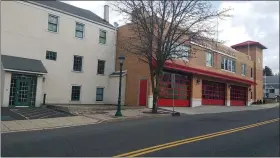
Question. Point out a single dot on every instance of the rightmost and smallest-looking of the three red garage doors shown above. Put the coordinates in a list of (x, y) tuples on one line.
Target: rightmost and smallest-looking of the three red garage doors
[(238, 95)]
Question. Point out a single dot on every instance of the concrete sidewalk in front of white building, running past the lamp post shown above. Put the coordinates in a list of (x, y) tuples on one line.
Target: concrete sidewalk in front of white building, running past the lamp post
[(86, 119)]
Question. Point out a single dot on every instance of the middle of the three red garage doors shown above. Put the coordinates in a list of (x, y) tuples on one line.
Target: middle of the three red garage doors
[(213, 93)]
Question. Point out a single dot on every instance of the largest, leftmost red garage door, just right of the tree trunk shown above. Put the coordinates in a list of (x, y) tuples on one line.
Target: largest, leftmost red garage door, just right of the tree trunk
[(181, 90)]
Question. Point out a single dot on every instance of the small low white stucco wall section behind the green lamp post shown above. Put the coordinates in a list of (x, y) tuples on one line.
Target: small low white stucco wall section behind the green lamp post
[(113, 90)]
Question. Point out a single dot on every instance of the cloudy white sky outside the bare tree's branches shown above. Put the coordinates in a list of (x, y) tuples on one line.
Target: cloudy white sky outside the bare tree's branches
[(252, 20)]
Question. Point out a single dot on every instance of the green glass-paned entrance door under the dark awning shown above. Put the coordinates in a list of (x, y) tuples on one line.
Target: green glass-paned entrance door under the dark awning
[(22, 95)]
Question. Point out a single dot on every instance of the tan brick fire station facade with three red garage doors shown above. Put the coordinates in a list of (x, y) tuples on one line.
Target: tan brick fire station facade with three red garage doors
[(216, 75)]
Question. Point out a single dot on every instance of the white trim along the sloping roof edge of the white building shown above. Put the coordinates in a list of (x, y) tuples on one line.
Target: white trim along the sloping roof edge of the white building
[(76, 16)]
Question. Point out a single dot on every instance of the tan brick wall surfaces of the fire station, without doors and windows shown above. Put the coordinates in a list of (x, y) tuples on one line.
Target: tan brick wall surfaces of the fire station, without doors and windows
[(138, 69)]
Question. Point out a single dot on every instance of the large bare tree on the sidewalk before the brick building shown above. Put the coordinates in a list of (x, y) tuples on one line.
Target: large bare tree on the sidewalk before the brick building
[(164, 29)]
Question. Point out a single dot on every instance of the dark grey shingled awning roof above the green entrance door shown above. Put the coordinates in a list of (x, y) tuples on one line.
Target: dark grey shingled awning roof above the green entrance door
[(22, 64)]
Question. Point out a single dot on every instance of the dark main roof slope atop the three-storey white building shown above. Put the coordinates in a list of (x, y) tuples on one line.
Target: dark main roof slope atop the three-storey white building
[(74, 10)]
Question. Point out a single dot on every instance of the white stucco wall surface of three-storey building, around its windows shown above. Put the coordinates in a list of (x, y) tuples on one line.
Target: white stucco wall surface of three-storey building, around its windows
[(24, 34)]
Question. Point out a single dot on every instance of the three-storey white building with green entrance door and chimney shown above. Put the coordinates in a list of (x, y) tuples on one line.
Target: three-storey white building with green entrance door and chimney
[(53, 48)]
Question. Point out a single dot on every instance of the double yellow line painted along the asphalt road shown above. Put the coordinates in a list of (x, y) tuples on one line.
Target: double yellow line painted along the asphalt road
[(193, 139)]
